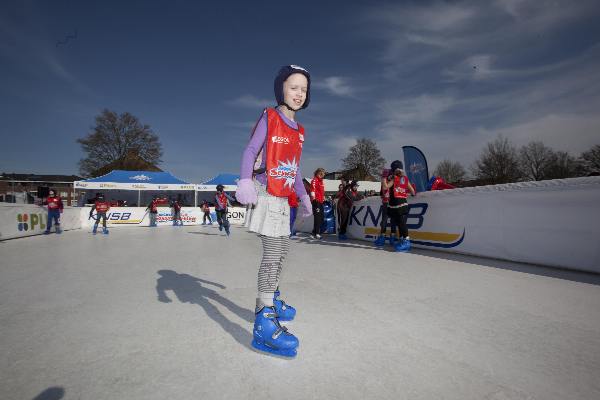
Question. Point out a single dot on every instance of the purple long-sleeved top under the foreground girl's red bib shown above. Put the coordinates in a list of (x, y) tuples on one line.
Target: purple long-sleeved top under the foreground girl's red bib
[(258, 143)]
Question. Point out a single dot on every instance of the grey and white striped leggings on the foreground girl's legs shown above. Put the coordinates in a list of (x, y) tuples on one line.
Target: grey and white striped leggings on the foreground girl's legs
[(274, 251)]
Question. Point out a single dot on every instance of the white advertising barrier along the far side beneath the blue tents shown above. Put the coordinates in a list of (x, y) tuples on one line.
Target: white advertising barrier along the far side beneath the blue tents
[(139, 216)]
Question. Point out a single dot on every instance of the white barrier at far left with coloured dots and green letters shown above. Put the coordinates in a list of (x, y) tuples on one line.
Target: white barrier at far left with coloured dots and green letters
[(19, 220)]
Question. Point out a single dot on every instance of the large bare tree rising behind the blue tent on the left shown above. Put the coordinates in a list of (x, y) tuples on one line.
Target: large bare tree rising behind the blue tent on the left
[(114, 139)]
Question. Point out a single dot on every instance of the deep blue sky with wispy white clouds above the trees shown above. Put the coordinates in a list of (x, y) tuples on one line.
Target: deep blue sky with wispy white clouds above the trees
[(447, 77)]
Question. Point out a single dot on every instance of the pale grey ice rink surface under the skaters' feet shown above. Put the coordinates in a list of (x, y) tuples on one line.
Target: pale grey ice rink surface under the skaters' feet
[(166, 313)]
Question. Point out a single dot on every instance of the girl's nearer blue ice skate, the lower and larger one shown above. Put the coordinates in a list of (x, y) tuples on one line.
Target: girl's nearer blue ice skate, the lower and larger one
[(271, 337)]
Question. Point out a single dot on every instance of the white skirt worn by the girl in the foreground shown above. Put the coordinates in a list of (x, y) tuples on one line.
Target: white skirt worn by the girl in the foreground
[(271, 215)]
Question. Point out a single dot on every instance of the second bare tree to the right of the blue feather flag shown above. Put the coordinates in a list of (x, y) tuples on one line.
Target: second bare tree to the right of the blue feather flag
[(498, 163)]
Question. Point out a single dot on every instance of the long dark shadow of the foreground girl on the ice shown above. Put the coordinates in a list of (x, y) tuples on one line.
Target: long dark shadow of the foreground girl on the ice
[(189, 289)]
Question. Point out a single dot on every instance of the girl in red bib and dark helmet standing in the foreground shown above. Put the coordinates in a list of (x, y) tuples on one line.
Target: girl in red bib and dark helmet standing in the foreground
[(278, 138)]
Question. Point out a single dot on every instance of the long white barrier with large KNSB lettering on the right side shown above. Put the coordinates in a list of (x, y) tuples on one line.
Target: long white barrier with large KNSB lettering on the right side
[(554, 223)]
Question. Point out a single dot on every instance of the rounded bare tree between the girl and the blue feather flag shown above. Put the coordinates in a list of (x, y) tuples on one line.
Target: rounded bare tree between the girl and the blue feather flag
[(364, 158)]
